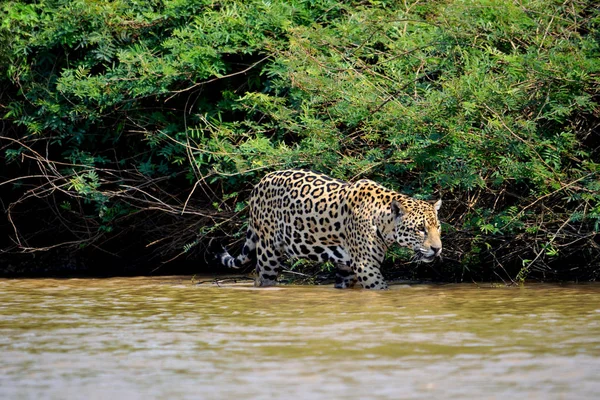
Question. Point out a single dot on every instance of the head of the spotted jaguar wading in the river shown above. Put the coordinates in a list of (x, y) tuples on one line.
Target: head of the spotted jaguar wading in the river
[(417, 227)]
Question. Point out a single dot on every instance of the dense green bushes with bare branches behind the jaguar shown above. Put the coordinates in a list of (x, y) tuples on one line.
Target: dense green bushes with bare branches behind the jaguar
[(138, 128)]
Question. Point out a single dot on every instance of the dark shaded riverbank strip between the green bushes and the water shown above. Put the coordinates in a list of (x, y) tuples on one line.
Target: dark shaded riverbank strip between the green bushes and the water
[(65, 264)]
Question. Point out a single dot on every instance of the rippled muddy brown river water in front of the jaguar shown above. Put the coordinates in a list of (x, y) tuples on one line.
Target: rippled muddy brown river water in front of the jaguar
[(168, 338)]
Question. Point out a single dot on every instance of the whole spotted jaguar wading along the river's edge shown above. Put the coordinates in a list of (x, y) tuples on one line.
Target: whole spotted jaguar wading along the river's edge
[(303, 214)]
